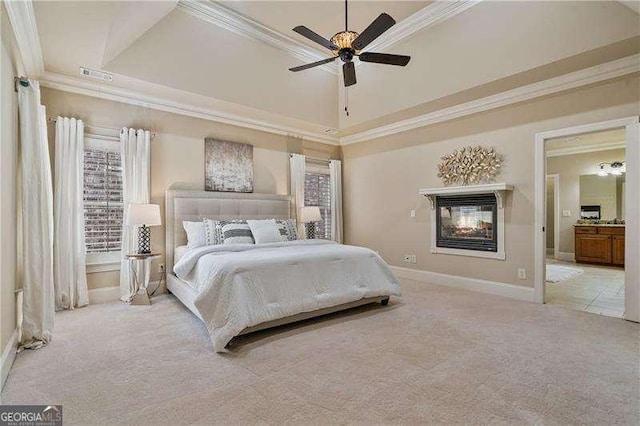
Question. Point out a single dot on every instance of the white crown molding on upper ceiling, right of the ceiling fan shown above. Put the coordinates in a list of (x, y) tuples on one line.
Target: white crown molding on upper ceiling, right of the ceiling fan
[(431, 15)]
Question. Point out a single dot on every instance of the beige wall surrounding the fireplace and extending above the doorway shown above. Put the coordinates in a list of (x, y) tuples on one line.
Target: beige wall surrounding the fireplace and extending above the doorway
[(383, 176)]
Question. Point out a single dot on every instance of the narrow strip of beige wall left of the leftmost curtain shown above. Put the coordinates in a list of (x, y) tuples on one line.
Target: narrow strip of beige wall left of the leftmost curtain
[(8, 188)]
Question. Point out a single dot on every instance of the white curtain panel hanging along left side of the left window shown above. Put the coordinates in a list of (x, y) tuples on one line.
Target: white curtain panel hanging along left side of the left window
[(69, 268)]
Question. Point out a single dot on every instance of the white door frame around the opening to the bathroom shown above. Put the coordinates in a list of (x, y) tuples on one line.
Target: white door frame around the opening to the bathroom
[(632, 207)]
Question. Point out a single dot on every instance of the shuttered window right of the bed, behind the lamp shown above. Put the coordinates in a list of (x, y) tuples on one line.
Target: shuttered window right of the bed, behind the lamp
[(317, 192)]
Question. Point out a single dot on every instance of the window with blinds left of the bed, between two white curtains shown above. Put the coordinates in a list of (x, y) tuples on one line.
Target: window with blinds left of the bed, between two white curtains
[(103, 206)]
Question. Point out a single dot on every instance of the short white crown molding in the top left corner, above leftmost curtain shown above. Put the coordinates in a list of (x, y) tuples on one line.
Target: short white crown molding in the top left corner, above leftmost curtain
[(23, 22)]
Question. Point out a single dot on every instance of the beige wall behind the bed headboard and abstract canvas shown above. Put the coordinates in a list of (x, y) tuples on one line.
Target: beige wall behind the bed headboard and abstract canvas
[(177, 151)]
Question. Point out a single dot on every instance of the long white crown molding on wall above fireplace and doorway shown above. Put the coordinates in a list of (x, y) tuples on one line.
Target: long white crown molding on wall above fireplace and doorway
[(598, 73)]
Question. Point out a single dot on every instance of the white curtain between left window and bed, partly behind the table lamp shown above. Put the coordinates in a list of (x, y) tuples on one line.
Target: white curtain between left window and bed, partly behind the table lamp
[(135, 157)]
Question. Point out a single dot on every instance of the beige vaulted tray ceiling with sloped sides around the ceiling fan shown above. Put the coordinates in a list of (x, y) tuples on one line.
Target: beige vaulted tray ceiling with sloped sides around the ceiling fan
[(158, 48)]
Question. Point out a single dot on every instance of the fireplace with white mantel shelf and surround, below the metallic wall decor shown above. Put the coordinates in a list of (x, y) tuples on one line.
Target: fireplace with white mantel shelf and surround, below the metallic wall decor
[(468, 220)]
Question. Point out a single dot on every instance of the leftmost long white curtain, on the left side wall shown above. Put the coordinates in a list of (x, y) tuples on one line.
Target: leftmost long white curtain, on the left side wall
[(37, 220)]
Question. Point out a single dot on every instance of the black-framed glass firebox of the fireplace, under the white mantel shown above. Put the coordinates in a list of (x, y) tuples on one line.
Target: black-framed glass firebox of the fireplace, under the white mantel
[(467, 222)]
